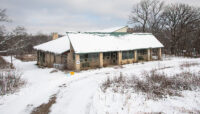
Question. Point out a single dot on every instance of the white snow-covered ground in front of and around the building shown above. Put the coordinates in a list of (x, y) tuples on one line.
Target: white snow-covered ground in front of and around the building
[(81, 93)]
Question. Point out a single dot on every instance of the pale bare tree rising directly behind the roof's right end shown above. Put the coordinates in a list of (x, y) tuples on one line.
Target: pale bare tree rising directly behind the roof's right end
[(146, 14)]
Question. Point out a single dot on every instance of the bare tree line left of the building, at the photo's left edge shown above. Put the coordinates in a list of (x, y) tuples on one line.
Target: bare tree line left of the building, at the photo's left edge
[(18, 41)]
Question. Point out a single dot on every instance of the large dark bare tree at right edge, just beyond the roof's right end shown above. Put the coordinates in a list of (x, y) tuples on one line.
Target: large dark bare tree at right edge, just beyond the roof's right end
[(179, 23)]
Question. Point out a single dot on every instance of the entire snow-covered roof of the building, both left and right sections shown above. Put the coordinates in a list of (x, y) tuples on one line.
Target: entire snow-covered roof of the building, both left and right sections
[(100, 42)]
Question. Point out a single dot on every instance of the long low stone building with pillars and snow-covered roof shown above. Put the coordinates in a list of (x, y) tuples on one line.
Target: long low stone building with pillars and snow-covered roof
[(80, 51)]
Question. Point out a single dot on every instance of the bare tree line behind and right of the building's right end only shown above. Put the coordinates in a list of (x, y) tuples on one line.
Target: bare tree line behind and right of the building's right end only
[(177, 26)]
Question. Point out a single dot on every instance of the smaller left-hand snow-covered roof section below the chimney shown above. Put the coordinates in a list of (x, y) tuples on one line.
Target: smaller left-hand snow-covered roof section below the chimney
[(57, 46)]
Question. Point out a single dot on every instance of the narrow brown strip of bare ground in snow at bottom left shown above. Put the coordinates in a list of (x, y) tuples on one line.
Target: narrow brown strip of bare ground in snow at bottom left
[(45, 108)]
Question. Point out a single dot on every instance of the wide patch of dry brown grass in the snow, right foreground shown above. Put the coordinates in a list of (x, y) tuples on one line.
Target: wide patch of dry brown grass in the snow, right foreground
[(154, 85)]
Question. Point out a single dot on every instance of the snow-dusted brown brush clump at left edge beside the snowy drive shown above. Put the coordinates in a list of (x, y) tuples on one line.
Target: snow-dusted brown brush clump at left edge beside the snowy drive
[(10, 81)]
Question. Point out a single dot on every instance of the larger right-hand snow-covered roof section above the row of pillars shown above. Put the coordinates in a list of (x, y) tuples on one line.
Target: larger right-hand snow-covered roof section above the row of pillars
[(97, 42)]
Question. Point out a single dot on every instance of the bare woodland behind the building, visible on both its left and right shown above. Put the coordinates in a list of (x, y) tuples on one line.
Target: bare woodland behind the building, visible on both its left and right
[(177, 26)]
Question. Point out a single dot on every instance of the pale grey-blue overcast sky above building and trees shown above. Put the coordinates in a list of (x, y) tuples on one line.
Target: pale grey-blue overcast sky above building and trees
[(71, 15)]
